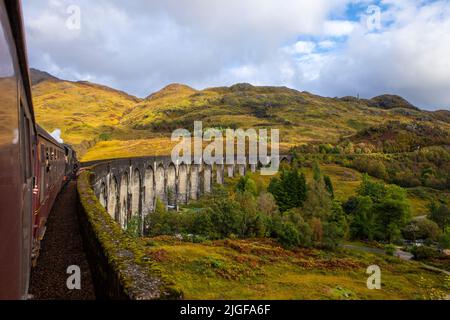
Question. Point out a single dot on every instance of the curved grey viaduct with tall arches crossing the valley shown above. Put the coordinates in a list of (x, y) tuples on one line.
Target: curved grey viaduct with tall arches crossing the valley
[(130, 187)]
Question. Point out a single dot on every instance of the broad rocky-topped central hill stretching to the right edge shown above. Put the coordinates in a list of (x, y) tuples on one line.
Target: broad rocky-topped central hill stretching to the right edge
[(300, 116)]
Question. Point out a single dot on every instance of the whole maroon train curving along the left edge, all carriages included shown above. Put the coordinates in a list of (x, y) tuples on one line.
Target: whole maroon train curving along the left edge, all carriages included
[(33, 165)]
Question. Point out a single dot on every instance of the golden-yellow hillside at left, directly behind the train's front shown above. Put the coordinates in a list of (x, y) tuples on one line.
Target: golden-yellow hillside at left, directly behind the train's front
[(83, 111)]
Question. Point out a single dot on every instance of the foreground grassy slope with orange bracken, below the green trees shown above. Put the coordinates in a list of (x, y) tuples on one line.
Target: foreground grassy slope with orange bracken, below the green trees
[(261, 269)]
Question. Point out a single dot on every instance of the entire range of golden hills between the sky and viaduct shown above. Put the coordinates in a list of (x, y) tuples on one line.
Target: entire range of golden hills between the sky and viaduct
[(108, 122)]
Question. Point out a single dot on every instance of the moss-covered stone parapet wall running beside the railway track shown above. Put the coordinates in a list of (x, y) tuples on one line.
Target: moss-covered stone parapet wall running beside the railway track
[(118, 263)]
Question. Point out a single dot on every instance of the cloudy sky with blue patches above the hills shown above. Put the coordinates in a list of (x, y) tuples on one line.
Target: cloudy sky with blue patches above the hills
[(328, 47)]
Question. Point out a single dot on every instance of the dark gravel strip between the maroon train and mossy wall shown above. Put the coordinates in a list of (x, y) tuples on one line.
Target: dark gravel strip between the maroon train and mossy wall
[(62, 247)]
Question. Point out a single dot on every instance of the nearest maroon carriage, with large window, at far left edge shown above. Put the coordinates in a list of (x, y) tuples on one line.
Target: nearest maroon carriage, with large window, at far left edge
[(17, 151)]
